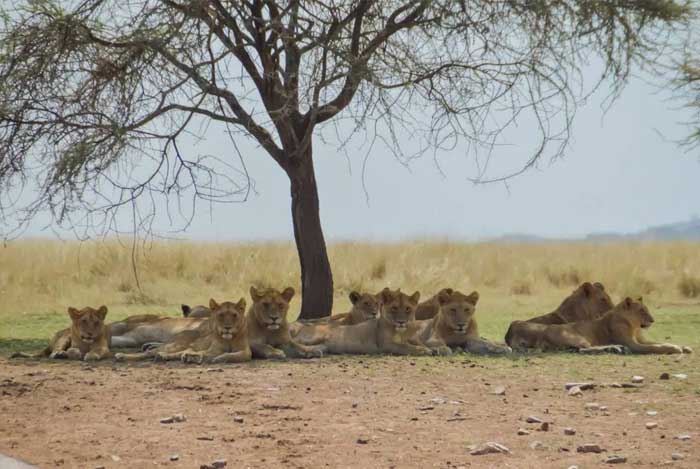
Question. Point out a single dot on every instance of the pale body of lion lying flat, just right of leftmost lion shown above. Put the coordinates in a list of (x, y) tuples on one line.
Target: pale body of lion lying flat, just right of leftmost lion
[(148, 329)]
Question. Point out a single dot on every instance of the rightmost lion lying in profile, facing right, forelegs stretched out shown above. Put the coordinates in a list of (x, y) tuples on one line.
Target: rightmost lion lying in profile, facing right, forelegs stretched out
[(620, 327)]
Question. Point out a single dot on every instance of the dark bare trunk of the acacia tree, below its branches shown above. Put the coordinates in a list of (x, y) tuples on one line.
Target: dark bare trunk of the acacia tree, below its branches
[(316, 276)]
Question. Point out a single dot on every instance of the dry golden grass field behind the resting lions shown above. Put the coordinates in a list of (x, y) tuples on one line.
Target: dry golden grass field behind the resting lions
[(39, 278)]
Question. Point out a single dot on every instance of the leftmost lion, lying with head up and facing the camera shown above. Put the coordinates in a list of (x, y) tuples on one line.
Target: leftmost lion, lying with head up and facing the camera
[(88, 338)]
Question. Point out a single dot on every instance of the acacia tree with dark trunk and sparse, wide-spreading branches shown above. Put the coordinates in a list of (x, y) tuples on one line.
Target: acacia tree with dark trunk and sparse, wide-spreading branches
[(91, 89)]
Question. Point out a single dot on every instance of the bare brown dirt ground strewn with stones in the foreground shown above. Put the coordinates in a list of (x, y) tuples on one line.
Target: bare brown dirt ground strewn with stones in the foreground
[(349, 412)]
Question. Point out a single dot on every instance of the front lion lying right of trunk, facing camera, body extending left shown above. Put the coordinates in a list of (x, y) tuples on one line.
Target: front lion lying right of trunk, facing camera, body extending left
[(394, 332)]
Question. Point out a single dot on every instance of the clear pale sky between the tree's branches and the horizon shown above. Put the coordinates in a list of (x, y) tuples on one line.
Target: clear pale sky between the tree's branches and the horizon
[(619, 174)]
